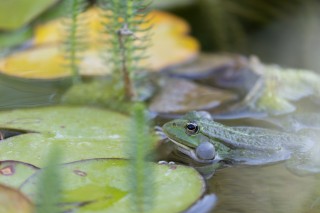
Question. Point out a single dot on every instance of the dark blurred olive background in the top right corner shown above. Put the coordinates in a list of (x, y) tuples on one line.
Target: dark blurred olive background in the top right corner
[(282, 32)]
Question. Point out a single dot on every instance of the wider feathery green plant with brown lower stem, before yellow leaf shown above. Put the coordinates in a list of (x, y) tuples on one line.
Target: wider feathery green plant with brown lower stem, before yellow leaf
[(124, 19)]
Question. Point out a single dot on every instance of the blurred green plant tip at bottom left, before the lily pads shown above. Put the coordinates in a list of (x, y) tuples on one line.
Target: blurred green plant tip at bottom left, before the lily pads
[(49, 188)]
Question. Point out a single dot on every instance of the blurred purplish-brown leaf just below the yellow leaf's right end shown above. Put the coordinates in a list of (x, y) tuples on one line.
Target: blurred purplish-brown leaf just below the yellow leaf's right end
[(229, 71)]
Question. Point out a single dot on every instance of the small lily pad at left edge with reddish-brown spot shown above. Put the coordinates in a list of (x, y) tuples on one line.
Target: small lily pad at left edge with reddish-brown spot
[(13, 173)]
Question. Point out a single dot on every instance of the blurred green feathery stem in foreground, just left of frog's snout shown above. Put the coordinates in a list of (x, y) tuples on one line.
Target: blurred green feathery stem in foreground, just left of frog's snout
[(141, 174)]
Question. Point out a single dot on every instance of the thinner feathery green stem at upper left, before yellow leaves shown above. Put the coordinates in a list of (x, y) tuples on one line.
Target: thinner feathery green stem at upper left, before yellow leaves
[(74, 42)]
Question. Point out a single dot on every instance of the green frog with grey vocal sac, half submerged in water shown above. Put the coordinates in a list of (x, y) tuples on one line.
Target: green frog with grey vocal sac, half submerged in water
[(207, 141)]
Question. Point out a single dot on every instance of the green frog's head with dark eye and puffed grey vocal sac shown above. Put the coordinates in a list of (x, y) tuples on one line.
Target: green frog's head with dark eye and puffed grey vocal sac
[(186, 134)]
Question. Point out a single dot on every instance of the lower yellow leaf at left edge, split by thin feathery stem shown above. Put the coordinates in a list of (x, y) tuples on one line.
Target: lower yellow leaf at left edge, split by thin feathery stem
[(47, 63)]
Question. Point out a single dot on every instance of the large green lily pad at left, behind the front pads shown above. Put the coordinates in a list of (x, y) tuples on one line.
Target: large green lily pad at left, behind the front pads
[(81, 132)]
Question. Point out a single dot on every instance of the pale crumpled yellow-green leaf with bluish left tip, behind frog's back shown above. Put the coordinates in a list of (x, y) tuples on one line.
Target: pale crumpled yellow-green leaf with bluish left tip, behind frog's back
[(276, 91)]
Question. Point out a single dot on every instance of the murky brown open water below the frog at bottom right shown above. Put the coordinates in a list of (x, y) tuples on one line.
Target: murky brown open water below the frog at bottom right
[(264, 189)]
